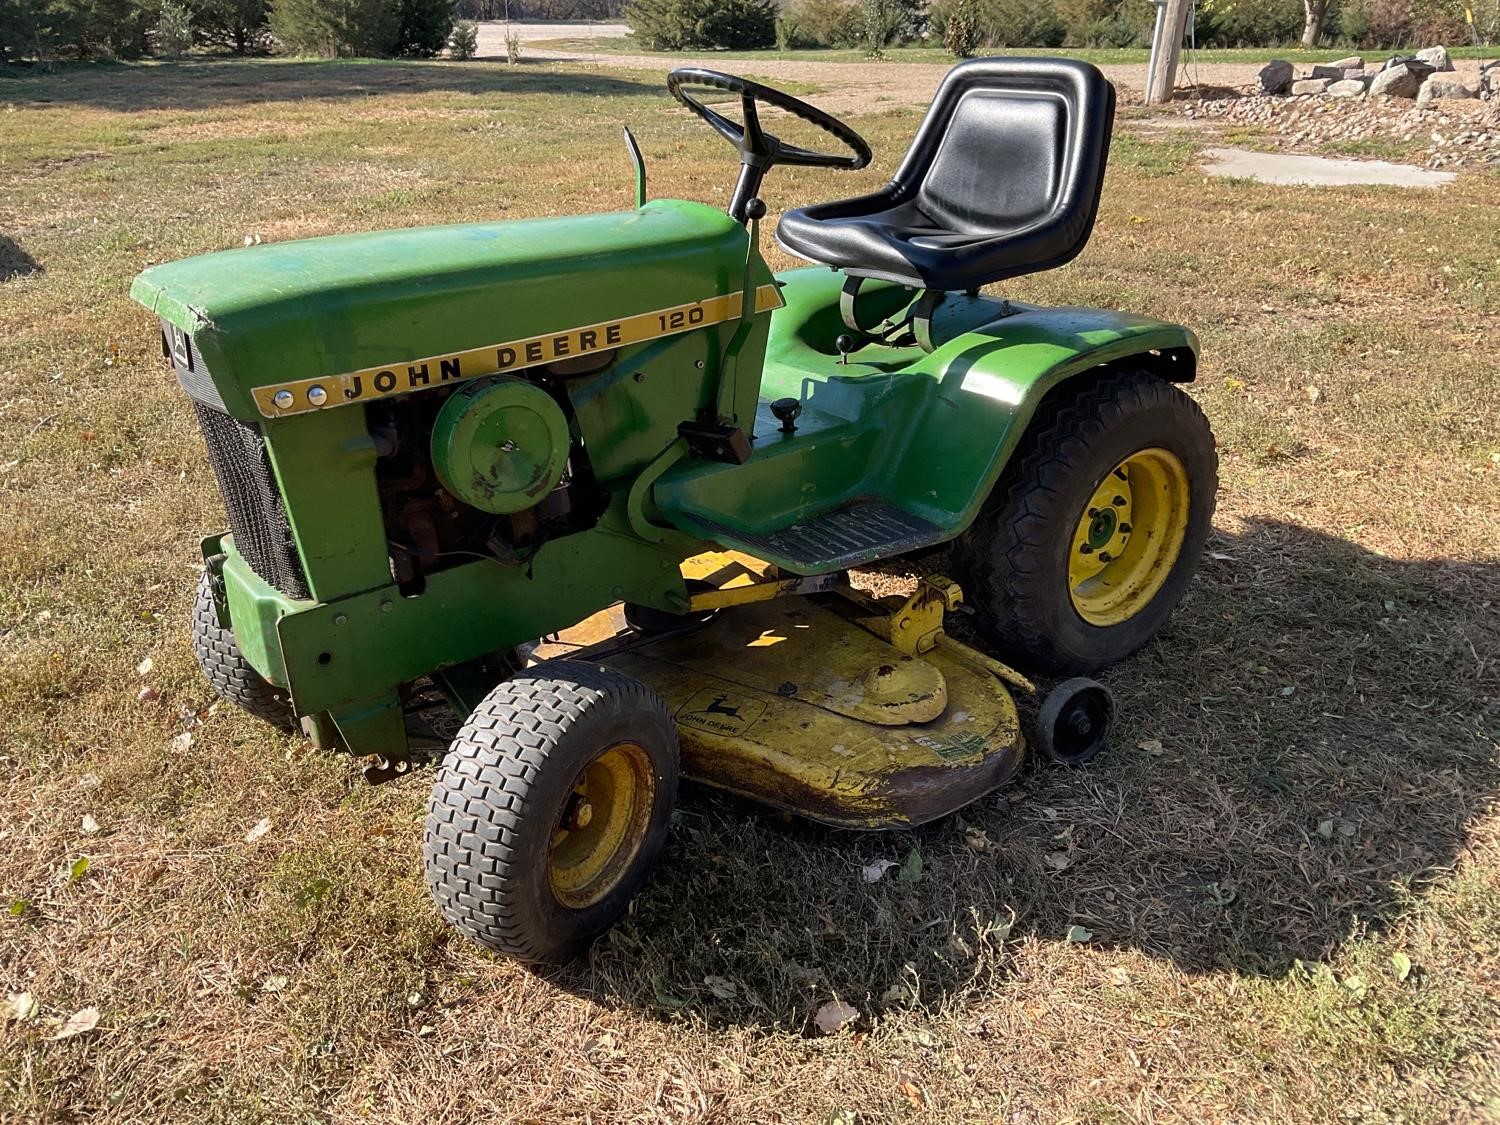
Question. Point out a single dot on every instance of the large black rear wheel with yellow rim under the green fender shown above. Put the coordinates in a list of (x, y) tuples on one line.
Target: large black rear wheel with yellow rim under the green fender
[(1019, 562)]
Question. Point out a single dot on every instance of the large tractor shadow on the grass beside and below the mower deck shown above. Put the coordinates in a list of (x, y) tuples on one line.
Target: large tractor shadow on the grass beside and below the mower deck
[(1297, 757)]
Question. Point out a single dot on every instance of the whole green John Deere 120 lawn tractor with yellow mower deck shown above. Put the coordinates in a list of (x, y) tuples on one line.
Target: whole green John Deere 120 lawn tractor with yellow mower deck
[(598, 484)]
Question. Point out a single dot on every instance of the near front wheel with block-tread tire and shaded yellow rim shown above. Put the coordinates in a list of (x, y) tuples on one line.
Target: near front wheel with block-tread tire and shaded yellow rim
[(551, 809)]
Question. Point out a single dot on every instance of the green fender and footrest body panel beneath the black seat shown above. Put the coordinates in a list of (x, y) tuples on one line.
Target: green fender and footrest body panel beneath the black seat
[(928, 433)]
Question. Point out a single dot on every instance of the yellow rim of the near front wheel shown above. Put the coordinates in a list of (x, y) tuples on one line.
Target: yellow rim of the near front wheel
[(602, 826)]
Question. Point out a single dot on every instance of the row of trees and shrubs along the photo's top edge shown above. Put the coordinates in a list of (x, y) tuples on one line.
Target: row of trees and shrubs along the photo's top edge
[(130, 29)]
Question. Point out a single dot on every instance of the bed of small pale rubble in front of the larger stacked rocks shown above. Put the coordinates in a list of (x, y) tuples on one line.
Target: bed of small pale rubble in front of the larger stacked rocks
[(1441, 136)]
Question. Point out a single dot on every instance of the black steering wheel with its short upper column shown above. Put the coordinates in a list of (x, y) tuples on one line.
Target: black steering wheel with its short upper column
[(758, 149)]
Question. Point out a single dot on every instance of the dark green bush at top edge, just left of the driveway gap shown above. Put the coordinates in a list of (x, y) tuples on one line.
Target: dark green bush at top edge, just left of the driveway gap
[(362, 28)]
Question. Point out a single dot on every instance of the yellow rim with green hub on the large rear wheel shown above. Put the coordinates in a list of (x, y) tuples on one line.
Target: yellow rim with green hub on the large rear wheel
[(1129, 538)]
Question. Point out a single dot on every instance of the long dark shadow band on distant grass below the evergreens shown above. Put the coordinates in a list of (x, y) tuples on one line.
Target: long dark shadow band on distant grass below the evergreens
[(221, 83)]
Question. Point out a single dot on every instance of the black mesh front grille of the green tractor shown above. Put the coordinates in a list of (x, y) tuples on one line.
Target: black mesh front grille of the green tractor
[(248, 485)]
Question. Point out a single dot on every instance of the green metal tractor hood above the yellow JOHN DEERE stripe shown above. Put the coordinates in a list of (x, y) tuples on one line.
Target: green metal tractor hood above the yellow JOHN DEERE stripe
[(326, 307)]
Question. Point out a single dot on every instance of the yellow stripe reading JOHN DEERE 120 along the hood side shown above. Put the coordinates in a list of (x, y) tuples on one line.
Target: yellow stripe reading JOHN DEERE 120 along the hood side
[(304, 397)]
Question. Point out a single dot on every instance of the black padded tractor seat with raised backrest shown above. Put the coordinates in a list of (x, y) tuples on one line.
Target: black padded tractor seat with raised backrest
[(1003, 179)]
